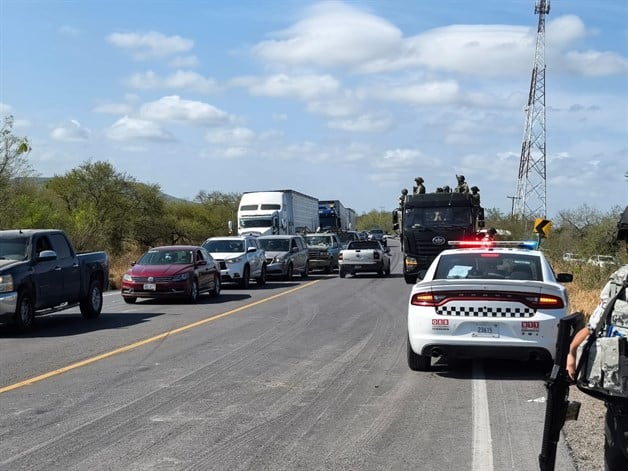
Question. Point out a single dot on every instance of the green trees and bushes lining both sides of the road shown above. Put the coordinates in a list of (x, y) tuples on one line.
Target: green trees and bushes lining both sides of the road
[(103, 209)]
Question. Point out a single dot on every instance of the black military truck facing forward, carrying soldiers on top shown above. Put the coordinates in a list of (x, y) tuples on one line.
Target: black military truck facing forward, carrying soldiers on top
[(427, 222)]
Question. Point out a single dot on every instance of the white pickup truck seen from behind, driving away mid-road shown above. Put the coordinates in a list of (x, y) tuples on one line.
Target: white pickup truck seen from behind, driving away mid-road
[(364, 256)]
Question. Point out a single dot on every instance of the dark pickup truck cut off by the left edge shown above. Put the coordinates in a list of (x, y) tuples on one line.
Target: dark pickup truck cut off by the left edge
[(40, 273)]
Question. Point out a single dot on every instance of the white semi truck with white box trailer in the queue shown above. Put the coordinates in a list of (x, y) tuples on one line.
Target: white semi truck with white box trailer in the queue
[(277, 212)]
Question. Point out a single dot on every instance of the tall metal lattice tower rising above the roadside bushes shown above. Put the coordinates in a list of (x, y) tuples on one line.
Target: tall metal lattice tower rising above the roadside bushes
[(530, 201)]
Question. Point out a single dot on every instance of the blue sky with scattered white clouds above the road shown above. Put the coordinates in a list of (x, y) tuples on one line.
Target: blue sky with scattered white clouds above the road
[(338, 100)]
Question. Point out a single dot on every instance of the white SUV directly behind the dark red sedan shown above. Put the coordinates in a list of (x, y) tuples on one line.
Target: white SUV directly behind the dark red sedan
[(240, 258)]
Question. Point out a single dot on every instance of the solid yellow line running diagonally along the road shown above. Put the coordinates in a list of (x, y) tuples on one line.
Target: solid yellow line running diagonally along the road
[(135, 345)]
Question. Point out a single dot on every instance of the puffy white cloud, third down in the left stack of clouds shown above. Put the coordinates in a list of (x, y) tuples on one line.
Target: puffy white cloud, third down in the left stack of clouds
[(174, 109)]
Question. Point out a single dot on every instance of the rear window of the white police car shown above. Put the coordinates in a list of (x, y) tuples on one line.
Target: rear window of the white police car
[(489, 265)]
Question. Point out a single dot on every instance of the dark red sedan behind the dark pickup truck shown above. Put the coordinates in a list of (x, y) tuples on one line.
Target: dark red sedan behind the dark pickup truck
[(173, 271)]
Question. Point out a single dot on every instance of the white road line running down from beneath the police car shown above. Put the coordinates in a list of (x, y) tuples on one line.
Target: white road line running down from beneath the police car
[(482, 441)]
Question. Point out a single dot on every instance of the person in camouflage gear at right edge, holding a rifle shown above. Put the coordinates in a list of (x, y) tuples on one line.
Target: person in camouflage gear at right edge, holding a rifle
[(608, 371)]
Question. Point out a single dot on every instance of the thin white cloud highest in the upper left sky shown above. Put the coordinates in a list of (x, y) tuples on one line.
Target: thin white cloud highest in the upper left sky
[(151, 44)]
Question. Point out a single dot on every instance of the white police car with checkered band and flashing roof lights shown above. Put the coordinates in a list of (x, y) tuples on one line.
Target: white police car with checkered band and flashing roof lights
[(486, 300)]
